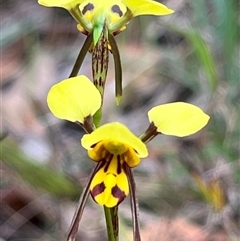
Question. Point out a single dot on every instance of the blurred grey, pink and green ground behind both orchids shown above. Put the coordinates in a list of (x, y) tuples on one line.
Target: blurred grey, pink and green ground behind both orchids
[(188, 188)]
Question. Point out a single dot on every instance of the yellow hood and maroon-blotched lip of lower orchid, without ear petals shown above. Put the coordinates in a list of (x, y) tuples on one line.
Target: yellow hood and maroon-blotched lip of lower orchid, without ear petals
[(116, 147)]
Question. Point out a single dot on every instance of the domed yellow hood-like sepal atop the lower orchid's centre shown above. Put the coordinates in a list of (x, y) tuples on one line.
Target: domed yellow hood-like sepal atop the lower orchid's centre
[(115, 132)]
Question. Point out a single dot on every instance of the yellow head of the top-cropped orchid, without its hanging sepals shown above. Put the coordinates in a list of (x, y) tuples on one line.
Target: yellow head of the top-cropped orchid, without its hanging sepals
[(92, 14)]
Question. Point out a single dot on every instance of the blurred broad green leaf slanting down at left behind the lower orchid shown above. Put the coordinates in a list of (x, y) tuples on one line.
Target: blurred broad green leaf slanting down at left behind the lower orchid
[(37, 175)]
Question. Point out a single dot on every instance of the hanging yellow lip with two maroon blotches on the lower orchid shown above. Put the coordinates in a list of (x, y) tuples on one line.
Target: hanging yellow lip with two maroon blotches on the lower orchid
[(109, 187)]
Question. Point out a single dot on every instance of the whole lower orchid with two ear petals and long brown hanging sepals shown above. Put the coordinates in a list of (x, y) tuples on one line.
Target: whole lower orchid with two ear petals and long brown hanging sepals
[(113, 146)]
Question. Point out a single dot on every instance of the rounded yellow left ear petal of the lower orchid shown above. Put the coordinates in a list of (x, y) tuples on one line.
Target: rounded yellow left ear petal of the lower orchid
[(74, 99)]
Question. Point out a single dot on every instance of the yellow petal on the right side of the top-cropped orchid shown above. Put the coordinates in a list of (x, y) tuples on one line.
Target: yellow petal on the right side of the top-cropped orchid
[(146, 7)]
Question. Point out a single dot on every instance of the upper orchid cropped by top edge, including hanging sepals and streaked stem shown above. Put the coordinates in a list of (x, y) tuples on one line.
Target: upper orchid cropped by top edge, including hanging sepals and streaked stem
[(101, 21)]
